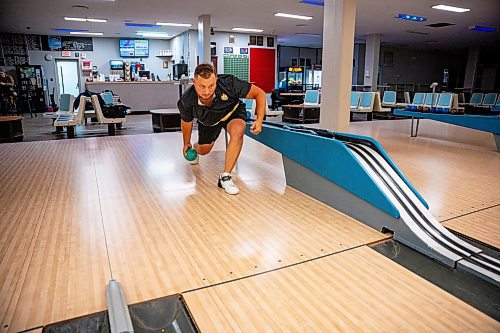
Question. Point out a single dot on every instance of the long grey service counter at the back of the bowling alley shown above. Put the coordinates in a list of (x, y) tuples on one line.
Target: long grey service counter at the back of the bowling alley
[(142, 96)]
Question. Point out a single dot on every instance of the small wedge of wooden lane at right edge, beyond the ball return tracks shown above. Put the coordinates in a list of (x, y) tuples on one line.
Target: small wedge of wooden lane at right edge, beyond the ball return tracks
[(483, 226)]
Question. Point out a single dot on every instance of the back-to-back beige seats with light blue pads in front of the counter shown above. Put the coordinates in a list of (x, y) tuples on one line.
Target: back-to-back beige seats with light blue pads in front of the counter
[(70, 119)]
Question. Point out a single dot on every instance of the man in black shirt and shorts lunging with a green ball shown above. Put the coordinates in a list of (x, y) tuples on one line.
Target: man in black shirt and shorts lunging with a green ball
[(215, 102)]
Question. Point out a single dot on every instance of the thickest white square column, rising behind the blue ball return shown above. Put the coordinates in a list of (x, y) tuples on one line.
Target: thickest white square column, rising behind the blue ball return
[(338, 50)]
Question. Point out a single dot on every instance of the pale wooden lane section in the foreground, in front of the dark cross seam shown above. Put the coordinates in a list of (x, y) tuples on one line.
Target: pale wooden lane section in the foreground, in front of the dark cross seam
[(354, 291)]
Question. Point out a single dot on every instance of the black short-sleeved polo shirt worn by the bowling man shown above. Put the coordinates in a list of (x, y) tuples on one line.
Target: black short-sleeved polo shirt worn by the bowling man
[(228, 92)]
